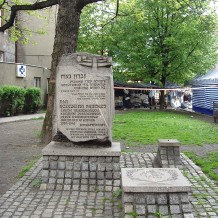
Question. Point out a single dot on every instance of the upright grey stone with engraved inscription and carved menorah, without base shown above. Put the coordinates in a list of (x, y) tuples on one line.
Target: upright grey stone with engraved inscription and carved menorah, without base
[(84, 99)]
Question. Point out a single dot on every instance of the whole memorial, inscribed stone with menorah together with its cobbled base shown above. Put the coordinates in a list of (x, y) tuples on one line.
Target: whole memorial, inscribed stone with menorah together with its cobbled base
[(82, 146)]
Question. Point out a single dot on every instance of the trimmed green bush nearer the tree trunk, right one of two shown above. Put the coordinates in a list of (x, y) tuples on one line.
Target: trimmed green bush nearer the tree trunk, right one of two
[(32, 100)]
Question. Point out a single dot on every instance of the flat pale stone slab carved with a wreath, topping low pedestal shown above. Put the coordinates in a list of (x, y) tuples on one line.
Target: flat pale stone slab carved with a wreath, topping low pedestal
[(154, 180)]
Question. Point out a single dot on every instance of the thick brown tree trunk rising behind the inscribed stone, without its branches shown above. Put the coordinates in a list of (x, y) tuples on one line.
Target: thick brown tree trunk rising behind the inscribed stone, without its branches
[(66, 35)]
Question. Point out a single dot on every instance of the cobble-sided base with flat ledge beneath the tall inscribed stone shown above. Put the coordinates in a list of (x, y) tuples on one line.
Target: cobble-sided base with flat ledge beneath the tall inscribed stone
[(67, 167)]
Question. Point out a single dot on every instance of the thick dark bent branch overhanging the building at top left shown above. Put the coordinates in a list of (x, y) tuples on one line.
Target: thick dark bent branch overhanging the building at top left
[(27, 7)]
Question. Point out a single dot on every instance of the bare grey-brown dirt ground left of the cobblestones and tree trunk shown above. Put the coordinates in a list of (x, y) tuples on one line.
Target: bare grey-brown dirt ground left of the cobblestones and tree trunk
[(19, 144)]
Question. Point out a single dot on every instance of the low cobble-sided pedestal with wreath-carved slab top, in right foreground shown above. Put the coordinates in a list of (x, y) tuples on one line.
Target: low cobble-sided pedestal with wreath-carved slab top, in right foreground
[(155, 193)]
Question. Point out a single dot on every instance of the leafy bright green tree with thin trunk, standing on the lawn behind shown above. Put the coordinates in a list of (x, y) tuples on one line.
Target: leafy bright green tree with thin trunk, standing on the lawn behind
[(162, 40)]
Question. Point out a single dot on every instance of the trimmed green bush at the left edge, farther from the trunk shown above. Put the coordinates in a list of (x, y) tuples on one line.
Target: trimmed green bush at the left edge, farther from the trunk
[(12, 100)]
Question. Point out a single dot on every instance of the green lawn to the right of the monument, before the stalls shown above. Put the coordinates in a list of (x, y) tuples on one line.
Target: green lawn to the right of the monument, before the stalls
[(146, 127)]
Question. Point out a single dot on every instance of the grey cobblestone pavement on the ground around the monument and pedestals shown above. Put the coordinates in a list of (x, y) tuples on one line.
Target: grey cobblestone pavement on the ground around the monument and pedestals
[(92, 199)]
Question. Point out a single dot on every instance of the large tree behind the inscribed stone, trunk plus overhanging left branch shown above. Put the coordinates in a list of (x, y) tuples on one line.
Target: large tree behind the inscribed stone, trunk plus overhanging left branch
[(66, 35)]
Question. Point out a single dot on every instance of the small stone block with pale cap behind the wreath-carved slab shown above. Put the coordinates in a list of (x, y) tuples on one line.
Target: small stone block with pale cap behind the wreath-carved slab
[(168, 154)]
